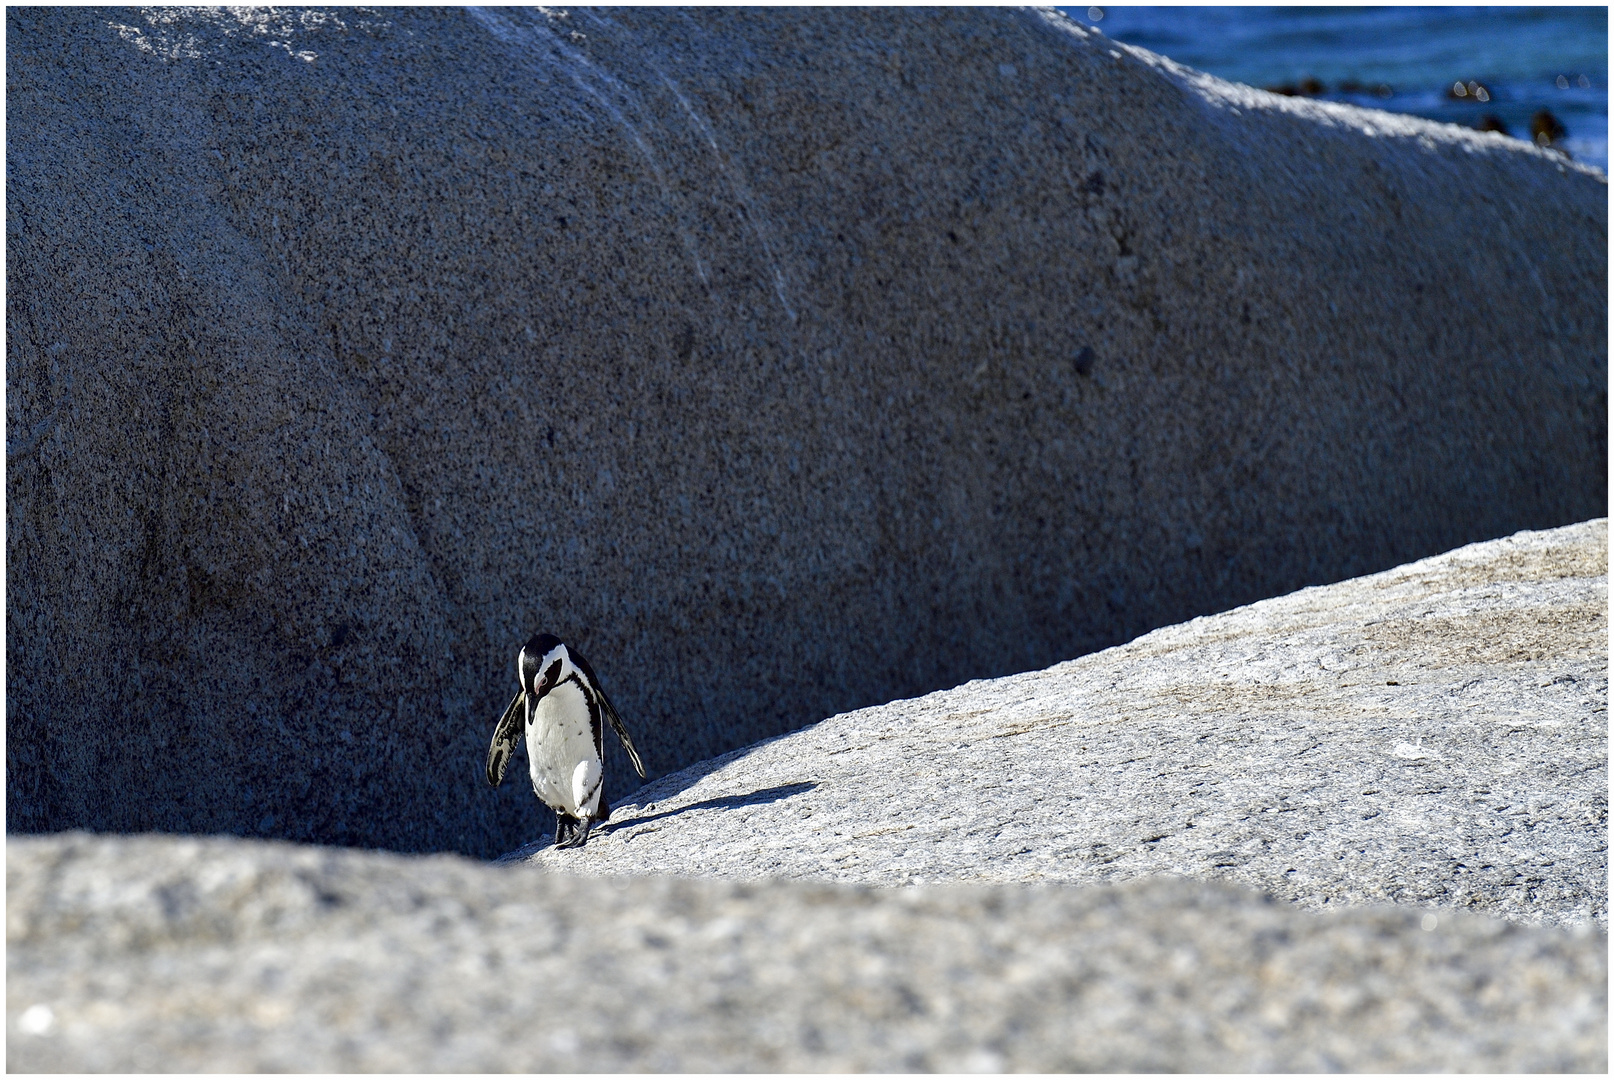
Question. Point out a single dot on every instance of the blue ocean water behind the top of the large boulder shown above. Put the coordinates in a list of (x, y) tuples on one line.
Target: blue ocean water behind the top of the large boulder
[(1512, 64)]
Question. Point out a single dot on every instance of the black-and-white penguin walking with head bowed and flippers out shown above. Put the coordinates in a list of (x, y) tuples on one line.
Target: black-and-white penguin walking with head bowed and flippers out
[(561, 710)]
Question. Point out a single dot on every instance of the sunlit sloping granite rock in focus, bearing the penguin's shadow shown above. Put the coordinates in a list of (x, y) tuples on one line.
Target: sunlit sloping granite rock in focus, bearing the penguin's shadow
[(1434, 735)]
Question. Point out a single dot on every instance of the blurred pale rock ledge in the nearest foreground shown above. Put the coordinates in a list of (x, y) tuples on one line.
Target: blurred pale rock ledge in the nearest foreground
[(182, 955)]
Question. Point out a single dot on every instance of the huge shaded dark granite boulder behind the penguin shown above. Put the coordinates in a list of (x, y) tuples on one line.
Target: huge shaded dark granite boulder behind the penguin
[(784, 362)]
